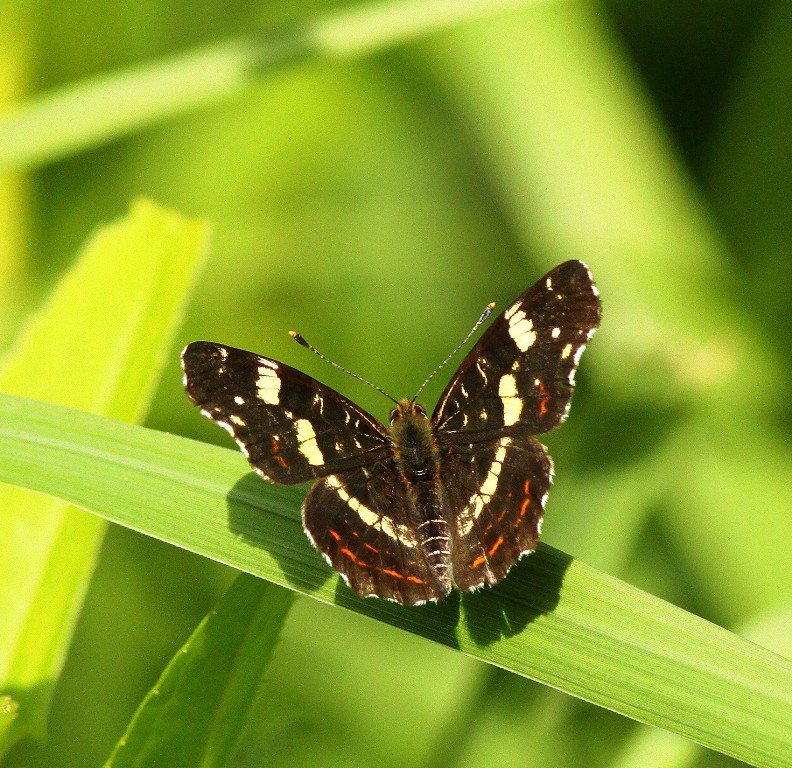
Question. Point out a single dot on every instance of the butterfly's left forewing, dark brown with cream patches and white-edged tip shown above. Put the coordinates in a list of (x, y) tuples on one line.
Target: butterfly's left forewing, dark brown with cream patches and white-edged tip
[(290, 427)]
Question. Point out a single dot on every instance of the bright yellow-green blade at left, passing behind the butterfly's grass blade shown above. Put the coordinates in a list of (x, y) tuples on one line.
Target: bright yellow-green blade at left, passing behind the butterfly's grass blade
[(97, 344)]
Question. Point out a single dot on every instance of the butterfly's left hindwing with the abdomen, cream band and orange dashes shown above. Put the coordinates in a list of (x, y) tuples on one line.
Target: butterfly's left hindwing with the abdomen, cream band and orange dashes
[(384, 541)]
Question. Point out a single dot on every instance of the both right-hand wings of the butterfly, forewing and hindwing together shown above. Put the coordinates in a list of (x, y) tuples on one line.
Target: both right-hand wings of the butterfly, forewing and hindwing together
[(516, 382)]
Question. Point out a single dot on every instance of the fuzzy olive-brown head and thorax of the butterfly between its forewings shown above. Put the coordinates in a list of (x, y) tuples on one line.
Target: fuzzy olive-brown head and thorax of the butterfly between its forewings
[(414, 446)]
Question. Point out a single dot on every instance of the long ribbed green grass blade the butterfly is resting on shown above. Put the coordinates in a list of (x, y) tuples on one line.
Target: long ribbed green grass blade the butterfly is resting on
[(554, 619)]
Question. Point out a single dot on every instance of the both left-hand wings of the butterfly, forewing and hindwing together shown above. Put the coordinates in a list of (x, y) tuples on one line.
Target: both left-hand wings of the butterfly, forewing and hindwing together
[(292, 428)]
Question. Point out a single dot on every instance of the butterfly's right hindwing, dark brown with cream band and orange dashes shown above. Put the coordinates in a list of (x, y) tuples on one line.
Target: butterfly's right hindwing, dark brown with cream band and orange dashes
[(497, 491)]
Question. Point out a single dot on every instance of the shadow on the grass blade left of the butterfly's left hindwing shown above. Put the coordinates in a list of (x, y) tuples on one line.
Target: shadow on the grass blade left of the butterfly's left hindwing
[(267, 517)]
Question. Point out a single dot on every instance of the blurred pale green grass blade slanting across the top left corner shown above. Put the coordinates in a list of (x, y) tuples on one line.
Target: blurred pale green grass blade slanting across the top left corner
[(107, 107)]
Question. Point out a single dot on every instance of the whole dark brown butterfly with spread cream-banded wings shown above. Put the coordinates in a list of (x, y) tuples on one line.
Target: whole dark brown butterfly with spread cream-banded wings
[(409, 511)]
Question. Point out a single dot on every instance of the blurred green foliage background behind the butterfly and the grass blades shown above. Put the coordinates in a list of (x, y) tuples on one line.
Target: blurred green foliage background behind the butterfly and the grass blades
[(376, 205)]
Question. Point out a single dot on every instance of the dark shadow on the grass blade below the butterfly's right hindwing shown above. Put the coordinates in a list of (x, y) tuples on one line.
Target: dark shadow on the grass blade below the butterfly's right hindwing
[(531, 589)]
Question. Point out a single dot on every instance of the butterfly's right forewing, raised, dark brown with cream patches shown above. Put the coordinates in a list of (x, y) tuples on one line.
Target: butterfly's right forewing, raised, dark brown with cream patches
[(518, 379)]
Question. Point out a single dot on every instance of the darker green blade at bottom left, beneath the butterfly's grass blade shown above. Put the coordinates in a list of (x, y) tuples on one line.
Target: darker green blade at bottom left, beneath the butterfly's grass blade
[(196, 712)]
